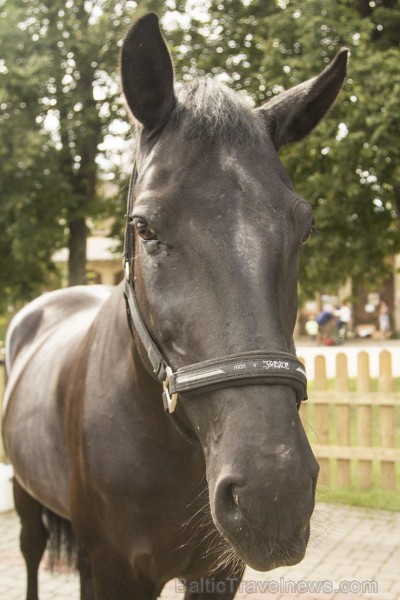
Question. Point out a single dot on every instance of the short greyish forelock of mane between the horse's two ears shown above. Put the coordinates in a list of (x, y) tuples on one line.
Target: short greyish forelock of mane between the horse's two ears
[(209, 110)]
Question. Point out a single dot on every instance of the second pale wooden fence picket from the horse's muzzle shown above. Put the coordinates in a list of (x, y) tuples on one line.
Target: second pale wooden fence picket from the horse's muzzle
[(342, 417)]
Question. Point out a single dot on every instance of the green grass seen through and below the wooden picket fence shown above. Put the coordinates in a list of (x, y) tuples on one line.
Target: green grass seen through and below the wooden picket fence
[(375, 497)]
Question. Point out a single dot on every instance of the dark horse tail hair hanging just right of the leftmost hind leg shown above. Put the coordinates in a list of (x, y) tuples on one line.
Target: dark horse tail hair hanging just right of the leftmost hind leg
[(62, 544)]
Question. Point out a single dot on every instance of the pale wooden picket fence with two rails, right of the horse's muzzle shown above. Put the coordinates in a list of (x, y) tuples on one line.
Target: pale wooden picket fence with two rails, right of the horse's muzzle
[(363, 402)]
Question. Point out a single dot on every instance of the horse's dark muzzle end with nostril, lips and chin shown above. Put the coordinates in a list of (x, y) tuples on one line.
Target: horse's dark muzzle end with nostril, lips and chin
[(266, 527)]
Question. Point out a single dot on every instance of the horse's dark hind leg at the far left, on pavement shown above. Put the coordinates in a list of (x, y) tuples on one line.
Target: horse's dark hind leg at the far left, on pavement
[(33, 536)]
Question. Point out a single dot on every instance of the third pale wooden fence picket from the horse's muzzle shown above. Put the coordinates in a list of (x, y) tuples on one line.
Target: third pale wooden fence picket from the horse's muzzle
[(364, 420)]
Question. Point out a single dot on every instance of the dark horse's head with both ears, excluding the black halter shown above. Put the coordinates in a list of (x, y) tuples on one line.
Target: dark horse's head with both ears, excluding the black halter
[(218, 233)]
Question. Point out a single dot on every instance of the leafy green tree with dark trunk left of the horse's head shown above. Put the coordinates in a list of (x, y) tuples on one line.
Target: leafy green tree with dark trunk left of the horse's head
[(59, 100)]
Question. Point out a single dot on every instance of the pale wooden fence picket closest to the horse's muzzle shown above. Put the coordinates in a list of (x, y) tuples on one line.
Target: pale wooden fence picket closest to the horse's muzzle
[(321, 416)]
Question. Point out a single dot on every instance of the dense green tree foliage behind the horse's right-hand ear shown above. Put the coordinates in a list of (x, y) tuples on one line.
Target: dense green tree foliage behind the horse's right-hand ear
[(348, 171)]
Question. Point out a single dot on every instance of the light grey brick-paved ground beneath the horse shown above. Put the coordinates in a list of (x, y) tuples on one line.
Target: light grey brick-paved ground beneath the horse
[(354, 553)]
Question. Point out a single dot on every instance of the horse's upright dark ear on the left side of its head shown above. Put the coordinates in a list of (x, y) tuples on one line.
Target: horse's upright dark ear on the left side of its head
[(147, 73)]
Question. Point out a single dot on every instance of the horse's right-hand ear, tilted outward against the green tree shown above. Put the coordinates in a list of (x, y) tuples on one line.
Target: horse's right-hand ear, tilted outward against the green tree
[(291, 115)]
